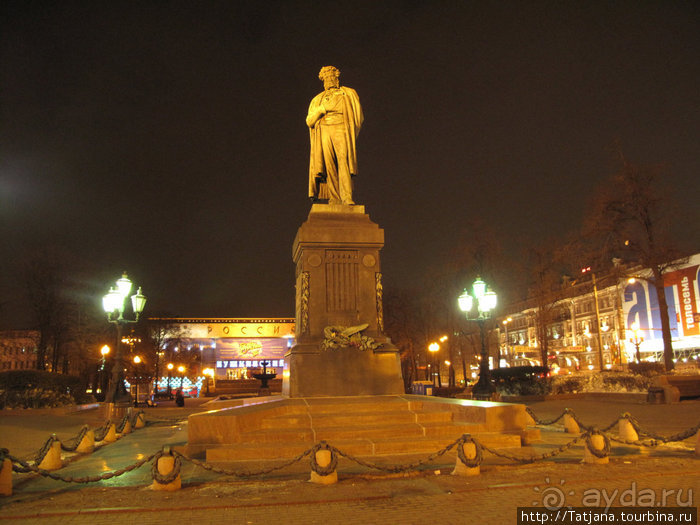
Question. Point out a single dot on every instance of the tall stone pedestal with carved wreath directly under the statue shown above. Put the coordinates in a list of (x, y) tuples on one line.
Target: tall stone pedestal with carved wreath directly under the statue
[(339, 283)]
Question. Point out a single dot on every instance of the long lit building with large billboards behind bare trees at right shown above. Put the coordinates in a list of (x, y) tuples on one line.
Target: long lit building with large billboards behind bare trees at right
[(608, 318)]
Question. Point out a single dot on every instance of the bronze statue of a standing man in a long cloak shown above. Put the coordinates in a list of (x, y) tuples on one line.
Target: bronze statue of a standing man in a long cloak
[(334, 120)]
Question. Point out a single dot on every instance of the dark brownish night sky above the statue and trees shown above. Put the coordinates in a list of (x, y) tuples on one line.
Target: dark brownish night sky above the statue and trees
[(168, 138)]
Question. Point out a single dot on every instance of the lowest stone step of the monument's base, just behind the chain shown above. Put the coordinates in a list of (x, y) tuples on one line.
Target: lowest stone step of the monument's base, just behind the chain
[(361, 447)]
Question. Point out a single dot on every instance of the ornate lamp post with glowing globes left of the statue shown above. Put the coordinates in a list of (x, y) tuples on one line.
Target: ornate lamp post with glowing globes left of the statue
[(114, 304)]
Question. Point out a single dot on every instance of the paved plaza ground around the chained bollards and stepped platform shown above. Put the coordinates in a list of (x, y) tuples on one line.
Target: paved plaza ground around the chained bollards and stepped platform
[(669, 472)]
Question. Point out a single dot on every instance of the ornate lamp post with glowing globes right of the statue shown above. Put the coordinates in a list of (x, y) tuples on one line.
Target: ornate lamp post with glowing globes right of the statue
[(485, 303)]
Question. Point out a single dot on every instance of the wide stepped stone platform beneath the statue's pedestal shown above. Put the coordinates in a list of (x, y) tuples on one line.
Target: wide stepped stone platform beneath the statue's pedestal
[(281, 428)]
